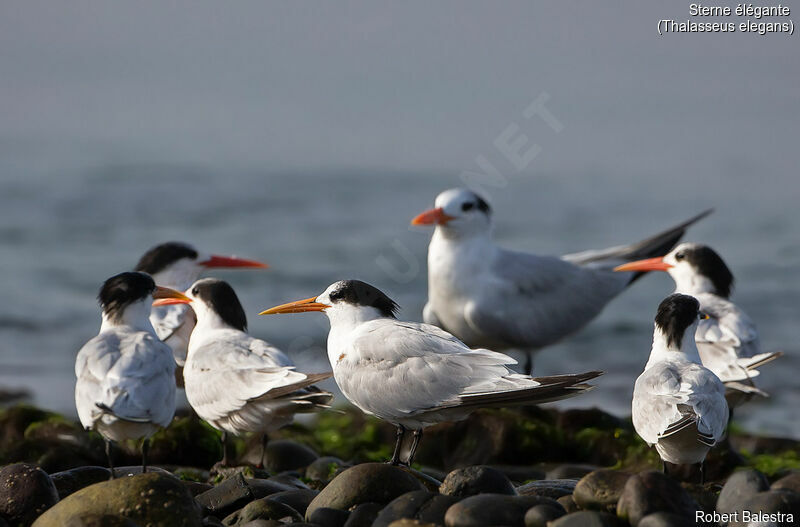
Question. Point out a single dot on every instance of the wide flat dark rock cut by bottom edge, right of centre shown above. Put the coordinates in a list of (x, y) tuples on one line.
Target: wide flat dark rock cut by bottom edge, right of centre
[(492, 509)]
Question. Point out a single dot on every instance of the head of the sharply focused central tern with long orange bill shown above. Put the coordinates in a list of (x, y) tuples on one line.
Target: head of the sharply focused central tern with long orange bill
[(352, 297)]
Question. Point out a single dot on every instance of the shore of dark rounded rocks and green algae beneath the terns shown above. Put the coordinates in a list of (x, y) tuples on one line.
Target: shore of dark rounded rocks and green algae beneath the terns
[(525, 467)]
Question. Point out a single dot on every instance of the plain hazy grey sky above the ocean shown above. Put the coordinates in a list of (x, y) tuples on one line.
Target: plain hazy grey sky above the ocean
[(400, 85)]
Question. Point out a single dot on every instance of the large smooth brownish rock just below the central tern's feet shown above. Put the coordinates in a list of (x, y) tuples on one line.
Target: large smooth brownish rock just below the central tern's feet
[(368, 482)]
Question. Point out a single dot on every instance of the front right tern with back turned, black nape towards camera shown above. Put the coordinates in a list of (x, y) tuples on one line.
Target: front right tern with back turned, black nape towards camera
[(678, 405)]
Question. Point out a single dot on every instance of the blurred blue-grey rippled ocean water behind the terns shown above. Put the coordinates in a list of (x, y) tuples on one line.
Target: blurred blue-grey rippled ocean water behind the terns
[(65, 229)]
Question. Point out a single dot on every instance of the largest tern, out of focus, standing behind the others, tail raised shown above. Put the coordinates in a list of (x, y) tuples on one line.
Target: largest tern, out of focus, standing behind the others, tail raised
[(500, 299)]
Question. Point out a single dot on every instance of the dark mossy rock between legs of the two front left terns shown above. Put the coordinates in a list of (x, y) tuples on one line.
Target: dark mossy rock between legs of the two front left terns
[(187, 441)]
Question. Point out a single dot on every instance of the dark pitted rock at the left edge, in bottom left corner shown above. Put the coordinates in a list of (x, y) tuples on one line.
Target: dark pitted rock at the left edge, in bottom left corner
[(26, 491)]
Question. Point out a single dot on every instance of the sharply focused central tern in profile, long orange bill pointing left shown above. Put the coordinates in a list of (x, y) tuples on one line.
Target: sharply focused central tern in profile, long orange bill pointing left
[(415, 375)]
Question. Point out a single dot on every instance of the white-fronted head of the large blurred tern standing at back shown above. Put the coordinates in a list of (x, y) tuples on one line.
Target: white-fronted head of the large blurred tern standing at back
[(458, 212)]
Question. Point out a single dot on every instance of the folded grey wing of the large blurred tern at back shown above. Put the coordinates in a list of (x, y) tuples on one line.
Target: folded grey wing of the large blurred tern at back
[(535, 301)]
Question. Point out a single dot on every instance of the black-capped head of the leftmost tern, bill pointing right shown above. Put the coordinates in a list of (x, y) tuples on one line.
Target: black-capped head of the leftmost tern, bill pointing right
[(124, 290)]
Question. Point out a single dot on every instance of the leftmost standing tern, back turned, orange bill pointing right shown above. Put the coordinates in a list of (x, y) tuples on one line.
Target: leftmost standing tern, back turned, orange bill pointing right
[(126, 387)]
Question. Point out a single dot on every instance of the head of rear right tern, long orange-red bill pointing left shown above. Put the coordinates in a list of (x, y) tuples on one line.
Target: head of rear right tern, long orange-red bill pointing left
[(695, 268)]
